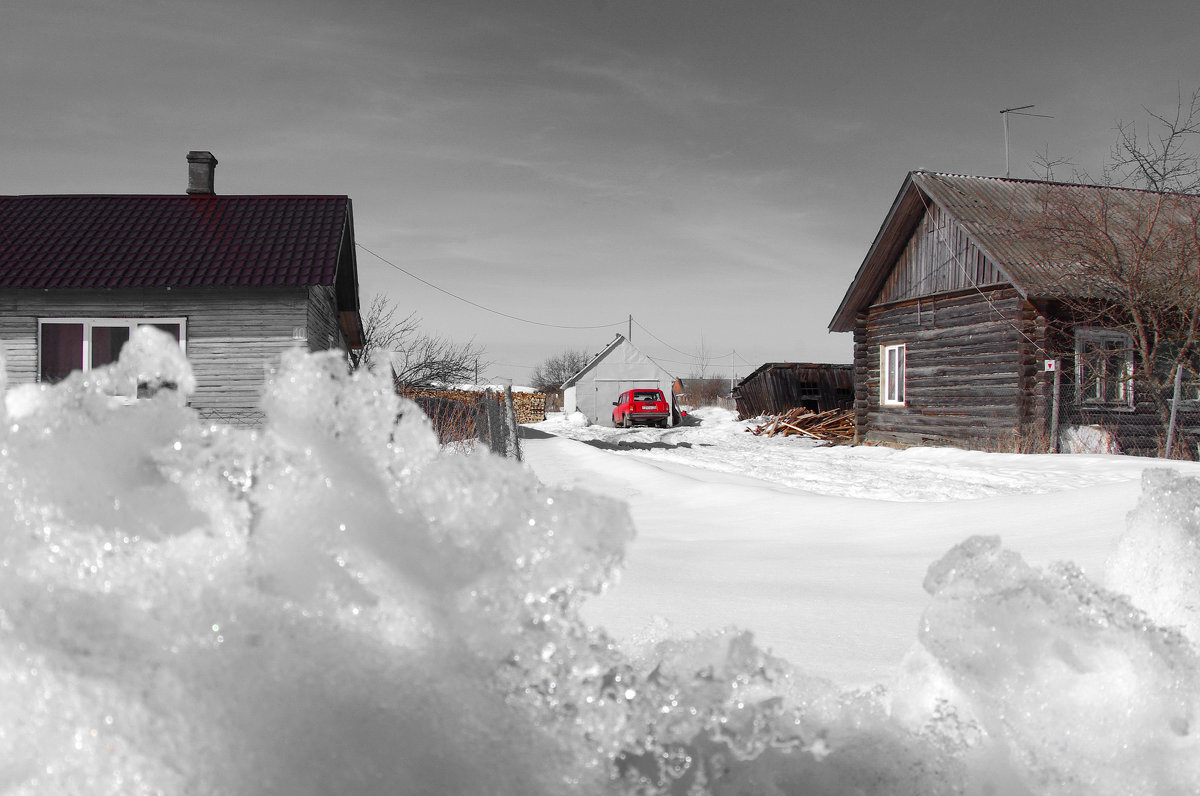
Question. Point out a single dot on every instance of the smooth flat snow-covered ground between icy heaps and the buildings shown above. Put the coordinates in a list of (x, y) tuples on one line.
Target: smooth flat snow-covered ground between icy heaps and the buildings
[(821, 552)]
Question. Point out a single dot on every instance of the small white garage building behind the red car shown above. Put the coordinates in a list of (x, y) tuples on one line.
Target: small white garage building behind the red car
[(621, 367)]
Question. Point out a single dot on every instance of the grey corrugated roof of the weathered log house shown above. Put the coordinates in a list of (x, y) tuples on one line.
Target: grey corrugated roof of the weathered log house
[(1009, 222)]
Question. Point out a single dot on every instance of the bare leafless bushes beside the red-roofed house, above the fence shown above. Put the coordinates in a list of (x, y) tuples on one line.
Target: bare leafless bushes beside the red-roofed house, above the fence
[(416, 358)]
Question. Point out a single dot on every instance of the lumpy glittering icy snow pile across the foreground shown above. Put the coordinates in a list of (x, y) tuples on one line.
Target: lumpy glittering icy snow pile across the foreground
[(331, 606)]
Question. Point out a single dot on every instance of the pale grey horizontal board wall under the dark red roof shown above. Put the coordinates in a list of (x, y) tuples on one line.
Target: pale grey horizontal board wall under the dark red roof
[(233, 334)]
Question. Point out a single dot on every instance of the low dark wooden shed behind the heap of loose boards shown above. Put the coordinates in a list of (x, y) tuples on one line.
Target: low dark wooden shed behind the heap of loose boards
[(779, 387)]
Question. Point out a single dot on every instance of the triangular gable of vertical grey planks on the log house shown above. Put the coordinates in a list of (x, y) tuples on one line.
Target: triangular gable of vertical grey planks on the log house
[(940, 258)]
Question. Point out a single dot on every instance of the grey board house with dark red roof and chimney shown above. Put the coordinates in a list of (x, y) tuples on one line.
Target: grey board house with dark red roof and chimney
[(236, 279)]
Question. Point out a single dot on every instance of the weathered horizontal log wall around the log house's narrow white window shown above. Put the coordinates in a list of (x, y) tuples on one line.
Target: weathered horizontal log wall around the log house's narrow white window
[(971, 368)]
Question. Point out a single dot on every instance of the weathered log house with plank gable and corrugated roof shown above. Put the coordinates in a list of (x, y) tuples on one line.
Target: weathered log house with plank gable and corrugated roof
[(959, 306)]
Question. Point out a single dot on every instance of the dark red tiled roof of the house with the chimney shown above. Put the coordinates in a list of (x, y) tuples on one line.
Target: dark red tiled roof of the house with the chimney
[(134, 242)]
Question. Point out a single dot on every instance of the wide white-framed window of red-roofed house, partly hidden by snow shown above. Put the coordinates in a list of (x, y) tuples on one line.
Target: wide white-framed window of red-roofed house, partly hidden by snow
[(67, 345)]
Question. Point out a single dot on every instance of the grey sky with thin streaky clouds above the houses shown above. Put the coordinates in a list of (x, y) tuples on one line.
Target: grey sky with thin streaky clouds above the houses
[(539, 176)]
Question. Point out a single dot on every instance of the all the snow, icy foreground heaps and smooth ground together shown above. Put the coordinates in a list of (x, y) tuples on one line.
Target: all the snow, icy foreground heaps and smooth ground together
[(335, 605)]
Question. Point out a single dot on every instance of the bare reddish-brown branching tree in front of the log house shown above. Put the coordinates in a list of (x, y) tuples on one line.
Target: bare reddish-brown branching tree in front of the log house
[(1131, 259)]
